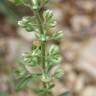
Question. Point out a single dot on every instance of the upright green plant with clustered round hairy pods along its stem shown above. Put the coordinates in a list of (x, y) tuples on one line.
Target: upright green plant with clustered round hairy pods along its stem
[(46, 57)]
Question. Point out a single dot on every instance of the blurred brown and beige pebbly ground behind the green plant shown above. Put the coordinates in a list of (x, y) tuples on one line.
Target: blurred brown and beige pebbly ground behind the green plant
[(77, 19)]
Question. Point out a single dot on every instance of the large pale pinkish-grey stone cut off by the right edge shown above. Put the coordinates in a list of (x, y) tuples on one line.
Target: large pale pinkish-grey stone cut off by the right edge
[(87, 59)]
